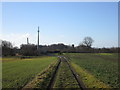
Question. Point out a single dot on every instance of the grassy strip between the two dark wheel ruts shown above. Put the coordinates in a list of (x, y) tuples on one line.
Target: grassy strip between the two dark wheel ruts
[(65, 78)]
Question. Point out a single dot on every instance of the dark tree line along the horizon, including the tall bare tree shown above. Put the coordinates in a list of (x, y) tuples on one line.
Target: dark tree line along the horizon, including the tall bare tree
[(31, 49)]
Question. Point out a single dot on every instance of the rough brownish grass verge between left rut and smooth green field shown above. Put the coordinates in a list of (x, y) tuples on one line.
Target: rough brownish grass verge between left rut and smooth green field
[(42, 80)]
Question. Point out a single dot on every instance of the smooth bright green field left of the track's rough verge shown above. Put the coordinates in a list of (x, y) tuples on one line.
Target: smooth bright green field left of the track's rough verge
[(18, 72)]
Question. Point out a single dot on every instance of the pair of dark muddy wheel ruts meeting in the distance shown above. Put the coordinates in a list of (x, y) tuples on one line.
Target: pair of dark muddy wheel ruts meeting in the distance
[(74, 74)]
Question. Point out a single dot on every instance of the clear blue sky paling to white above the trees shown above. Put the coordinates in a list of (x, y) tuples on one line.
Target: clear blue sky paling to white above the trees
[(60, 22)]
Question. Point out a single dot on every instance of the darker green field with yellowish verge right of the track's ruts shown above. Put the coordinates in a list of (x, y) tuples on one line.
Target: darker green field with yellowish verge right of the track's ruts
[(96, 70)]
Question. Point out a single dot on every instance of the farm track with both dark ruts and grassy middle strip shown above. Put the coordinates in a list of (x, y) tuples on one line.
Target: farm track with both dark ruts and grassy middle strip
[(66, 76)]
